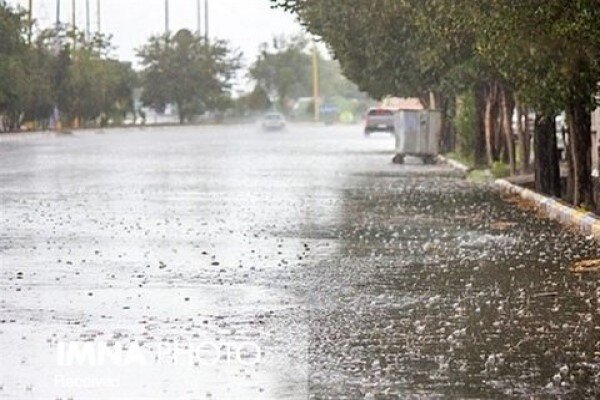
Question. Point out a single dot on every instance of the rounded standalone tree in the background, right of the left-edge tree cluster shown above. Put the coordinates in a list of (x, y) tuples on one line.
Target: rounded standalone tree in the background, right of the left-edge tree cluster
[(185, 70)]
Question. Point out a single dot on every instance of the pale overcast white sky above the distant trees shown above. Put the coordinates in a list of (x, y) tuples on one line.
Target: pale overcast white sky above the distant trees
[(244, 23)]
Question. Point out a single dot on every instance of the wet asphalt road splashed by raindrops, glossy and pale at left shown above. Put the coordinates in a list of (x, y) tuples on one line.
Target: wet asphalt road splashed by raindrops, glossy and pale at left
[(230, 263)]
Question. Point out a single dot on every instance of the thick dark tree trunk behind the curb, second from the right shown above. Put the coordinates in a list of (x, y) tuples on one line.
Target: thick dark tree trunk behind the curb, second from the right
[(546, 163)]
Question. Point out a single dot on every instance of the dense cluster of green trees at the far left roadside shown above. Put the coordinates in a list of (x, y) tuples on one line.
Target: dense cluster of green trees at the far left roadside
[(59, 75)]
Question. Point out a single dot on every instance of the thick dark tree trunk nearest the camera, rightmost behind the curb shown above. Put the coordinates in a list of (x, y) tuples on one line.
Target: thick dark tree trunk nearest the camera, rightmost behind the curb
[(581, 146)]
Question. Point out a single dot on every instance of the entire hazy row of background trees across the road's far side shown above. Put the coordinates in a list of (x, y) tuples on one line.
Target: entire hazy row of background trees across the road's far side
[(60, 75)]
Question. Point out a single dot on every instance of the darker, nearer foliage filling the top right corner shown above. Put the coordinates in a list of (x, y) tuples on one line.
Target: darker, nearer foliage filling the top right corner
[(549, 50)]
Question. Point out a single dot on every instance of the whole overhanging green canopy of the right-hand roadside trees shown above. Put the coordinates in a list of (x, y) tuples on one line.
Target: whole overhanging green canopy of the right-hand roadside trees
[(547, 50)]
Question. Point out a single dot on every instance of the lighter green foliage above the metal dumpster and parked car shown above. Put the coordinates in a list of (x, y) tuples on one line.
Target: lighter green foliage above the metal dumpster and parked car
[(392, 47)]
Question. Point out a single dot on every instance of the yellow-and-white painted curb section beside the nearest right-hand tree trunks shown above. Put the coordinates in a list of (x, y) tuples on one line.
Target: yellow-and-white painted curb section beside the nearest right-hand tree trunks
[(586, 222)]
